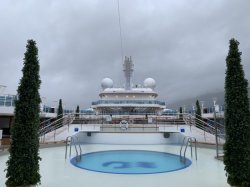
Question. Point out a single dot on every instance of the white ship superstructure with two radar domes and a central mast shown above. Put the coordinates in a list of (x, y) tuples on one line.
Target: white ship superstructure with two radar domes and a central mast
[(129, 99)]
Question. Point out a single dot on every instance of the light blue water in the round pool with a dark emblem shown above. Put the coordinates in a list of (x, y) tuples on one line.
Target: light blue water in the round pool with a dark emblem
[(130, 162)]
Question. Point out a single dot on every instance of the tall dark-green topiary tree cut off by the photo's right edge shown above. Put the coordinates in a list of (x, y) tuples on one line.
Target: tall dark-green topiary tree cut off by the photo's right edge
[(237, 120)]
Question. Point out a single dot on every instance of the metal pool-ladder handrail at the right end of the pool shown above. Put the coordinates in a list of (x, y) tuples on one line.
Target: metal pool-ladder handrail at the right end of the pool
[(189, 140)]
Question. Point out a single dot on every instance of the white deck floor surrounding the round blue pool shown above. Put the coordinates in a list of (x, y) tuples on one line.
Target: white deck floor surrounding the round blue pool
[(55, 171)]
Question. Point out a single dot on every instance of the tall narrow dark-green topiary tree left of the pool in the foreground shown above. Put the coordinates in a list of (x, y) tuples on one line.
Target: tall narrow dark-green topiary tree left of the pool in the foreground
[(23, 164)]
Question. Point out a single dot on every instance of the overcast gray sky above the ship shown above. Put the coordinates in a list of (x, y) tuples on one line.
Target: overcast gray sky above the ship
[(181, 44)]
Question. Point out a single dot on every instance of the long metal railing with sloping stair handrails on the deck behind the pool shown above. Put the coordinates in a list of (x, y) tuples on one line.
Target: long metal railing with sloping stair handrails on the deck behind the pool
[(141, 123)]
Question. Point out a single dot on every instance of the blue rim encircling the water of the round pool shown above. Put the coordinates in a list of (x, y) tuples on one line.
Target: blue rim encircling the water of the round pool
[(186, 164)]
